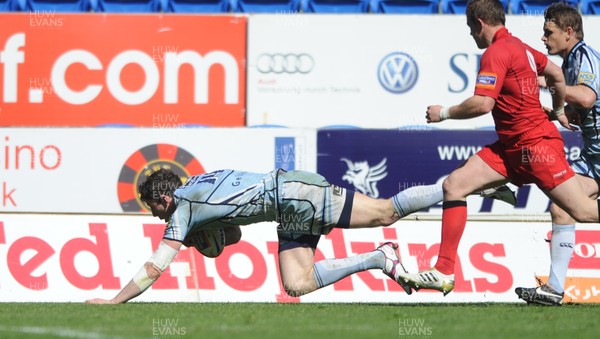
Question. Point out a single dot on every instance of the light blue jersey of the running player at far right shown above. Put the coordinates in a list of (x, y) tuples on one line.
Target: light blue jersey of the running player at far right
[(582, 67)]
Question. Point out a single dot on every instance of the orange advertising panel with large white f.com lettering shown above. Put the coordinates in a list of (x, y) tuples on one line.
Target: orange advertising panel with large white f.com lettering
[(113, 69)]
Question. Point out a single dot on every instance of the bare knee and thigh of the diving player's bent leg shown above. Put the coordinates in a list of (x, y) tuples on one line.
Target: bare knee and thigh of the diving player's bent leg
[(296, 264)]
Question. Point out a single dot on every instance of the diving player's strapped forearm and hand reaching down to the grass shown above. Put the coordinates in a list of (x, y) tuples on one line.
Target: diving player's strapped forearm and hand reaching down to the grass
[(147, 275)]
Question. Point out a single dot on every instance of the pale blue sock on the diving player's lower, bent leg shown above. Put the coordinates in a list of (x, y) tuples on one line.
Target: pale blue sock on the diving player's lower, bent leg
[(329, 271)]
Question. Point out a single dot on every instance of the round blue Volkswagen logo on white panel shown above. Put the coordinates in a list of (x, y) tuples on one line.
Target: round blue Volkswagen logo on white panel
[(398, 72)]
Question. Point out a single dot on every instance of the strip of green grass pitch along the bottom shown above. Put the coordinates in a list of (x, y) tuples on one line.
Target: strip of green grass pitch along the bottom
[(306, 321)]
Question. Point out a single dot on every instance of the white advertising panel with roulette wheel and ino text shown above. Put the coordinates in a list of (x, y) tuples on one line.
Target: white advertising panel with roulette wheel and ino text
[(96, 170)]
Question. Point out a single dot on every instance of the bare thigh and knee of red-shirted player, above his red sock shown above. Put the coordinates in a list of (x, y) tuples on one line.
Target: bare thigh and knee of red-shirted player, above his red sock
[(474, 175)]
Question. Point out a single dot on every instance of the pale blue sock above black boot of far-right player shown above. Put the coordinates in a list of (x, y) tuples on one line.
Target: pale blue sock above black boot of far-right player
[(561, 250)]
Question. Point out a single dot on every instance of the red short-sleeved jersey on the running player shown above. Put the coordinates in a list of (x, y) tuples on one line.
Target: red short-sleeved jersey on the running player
[(508, 73)]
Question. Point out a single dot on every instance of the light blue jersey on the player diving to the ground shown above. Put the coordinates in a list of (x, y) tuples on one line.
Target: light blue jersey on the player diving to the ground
[(222, 198)]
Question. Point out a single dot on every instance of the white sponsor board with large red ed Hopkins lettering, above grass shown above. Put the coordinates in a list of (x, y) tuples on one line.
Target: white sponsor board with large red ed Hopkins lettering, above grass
[(77, 257)]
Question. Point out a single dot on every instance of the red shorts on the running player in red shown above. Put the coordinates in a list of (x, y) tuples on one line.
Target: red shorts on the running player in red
[(538, 157)]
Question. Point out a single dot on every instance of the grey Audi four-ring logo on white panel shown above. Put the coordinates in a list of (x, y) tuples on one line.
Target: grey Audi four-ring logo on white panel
[(285, 63)]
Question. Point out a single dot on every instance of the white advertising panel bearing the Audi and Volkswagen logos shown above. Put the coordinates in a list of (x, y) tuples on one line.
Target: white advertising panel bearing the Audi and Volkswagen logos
[(369, 71)]
